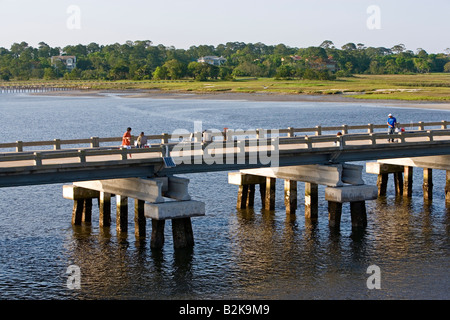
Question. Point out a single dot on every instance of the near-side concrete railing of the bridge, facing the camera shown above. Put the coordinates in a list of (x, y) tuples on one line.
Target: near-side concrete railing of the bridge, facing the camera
[(319, 142)]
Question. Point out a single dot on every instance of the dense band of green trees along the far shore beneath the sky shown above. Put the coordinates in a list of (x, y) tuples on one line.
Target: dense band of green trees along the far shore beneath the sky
[(141, 60)]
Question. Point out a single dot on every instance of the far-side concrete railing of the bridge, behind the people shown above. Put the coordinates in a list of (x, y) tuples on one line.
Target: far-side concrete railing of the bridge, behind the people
[(165, 138)]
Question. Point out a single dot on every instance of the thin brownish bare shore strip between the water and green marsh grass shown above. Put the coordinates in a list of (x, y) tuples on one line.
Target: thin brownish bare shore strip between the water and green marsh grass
[(262, 96)]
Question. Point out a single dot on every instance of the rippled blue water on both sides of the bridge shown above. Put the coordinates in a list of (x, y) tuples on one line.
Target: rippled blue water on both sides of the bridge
[(246, 254)]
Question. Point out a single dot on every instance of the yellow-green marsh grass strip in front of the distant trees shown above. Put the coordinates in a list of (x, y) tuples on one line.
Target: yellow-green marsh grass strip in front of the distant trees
[(417, 87)]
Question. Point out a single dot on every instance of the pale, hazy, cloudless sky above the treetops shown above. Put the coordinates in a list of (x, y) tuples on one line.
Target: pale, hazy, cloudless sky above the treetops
[(183, 23)]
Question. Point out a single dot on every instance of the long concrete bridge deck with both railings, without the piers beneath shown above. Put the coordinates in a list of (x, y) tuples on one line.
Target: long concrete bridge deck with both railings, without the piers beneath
[(236, 151)]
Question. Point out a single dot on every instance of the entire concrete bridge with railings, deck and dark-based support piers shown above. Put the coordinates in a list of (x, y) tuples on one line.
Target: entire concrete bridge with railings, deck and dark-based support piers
[(98, 168)]
